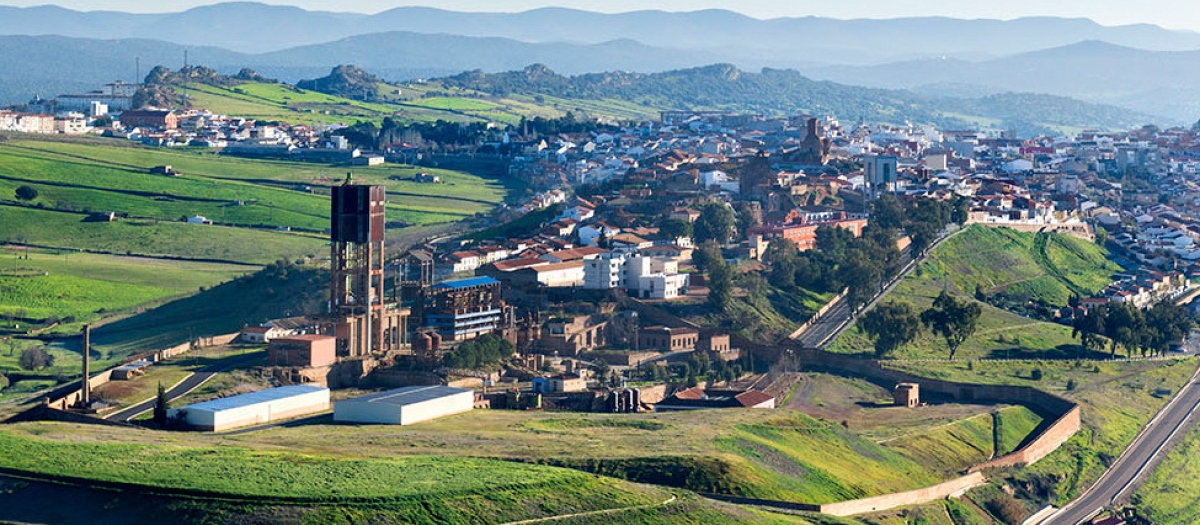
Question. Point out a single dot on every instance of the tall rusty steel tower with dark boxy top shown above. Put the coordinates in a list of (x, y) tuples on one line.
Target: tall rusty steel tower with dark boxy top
[(357, 300)]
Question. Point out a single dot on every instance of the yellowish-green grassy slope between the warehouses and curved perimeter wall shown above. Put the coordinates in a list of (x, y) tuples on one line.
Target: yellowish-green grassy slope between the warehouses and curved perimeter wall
[(746, 452)]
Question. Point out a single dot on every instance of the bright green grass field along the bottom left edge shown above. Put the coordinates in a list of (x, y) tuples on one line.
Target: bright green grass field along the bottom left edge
[(476, 490)]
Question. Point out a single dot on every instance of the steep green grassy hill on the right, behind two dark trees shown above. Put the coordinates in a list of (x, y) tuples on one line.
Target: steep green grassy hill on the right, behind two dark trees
[(1047, 268)]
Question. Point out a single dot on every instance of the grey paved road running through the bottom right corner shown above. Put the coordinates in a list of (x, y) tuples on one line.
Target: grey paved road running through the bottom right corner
[(1131, 469)]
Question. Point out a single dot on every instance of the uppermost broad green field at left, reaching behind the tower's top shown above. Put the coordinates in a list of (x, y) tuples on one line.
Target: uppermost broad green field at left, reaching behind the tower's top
[(91, 177)]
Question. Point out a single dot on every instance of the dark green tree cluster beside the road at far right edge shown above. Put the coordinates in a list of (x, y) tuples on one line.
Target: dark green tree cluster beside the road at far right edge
[(1145, 331)]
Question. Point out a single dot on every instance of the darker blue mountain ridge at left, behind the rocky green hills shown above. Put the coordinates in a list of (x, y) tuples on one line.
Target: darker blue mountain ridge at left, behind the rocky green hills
[(52, 65)]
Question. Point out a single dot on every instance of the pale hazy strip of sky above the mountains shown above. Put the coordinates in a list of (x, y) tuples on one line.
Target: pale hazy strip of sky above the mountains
[(1171, 14)]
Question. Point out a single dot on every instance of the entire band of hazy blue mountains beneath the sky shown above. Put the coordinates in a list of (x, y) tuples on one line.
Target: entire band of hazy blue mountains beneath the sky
[(1141, 68)]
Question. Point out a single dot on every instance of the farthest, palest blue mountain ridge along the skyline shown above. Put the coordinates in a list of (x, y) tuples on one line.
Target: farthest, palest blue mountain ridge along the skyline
[(781, 43)]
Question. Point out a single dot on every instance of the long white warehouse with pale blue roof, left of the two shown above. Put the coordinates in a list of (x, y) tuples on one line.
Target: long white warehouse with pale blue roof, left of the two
[(255, 408)]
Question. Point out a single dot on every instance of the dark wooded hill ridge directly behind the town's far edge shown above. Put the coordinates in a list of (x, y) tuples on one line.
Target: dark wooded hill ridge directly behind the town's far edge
[(776, 92)]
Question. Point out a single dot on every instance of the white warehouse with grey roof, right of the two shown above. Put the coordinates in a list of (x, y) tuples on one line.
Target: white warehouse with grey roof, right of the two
[(407, 406)]
